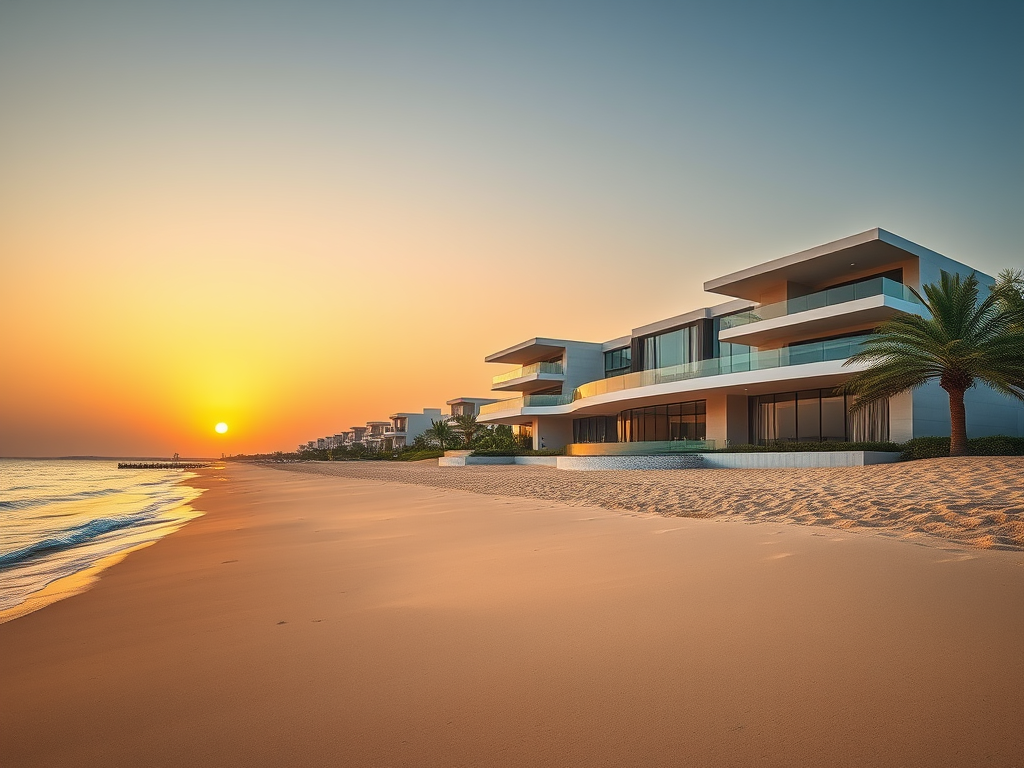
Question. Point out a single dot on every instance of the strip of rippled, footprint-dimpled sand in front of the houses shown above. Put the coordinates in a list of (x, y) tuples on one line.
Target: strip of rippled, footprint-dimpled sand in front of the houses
[(977, 501)]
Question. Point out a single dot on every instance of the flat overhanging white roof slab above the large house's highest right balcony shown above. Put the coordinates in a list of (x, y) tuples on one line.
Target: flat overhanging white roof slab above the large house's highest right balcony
[(873, 249)]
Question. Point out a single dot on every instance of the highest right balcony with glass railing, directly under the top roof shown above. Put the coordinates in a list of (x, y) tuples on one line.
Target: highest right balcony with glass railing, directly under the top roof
[(869, 303)]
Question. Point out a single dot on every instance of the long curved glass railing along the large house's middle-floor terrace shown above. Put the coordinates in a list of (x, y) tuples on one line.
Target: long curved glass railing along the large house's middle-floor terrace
[(821, 352)]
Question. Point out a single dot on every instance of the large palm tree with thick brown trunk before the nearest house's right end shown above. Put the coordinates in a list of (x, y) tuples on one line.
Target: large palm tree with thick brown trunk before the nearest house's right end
[(964, 342)]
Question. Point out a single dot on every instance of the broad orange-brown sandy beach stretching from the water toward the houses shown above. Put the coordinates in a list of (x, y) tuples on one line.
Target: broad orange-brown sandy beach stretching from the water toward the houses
[(311, 620)]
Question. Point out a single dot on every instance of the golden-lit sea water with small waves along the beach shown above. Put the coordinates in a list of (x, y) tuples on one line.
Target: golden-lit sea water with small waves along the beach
[(60, 518)]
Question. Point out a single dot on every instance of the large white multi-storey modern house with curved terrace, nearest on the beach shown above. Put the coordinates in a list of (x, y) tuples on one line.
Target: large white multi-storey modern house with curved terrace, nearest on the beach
[(762, 366)]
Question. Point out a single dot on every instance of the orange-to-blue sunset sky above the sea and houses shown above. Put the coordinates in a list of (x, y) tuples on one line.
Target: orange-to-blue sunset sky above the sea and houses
[(294, 218)]
